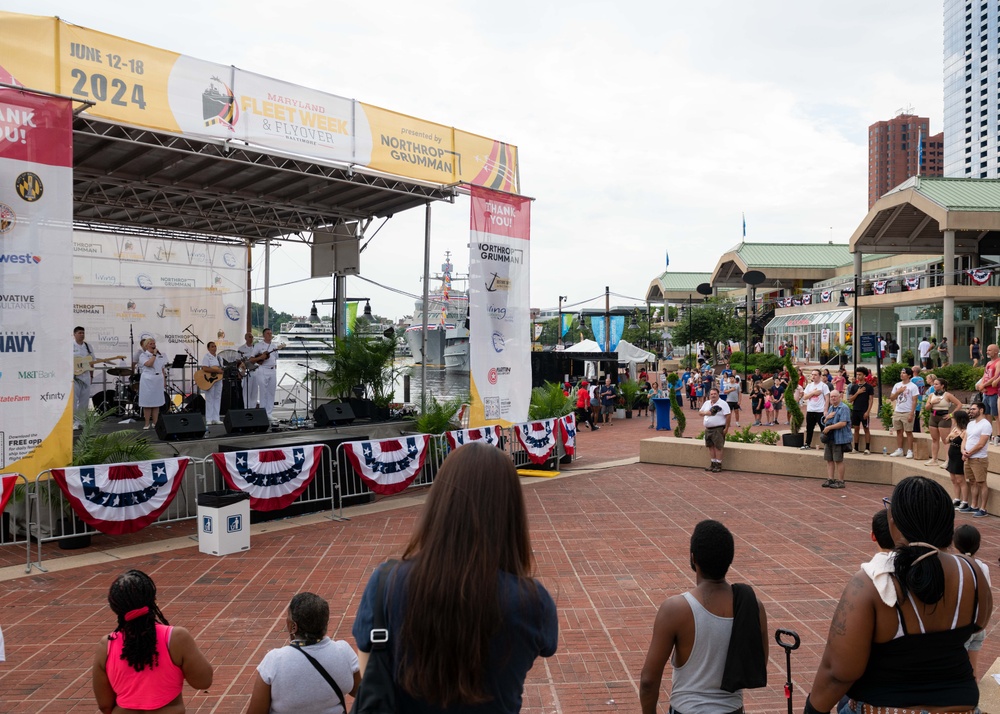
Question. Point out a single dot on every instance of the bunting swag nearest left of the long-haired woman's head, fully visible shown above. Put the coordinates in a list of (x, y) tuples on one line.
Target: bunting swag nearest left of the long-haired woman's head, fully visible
[(388, 466)]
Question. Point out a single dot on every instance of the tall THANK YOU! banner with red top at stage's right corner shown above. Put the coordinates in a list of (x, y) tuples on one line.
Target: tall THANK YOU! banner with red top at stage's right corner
[(499, 312)]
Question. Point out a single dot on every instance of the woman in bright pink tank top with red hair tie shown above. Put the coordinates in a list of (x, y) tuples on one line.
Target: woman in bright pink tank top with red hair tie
[(143, 664)]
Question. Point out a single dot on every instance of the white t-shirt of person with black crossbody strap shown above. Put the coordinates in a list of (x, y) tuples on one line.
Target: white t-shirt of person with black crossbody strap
[(296, 686)]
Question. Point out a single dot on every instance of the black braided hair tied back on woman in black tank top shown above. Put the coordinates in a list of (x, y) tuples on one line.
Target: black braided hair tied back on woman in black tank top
[(923, 513)]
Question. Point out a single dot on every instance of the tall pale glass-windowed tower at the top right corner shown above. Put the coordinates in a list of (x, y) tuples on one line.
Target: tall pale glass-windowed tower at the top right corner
[(971, 89)]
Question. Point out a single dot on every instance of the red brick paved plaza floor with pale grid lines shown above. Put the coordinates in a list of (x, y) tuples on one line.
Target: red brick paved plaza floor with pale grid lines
[(611, 543)]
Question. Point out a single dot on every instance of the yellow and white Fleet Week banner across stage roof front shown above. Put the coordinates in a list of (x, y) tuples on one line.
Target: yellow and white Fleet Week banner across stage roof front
[(146, 86)]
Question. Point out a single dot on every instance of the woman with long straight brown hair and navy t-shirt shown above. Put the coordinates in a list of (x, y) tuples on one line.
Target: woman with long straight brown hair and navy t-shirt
[(466, 619)]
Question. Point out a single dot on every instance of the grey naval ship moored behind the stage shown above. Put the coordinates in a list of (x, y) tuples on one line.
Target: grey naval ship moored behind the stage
[(447, 316)]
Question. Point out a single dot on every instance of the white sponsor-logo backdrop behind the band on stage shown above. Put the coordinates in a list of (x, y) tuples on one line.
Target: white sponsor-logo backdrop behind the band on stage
[(157, 287)]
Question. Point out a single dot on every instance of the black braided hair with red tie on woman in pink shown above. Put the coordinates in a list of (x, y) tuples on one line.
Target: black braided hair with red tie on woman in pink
[(132, 598)]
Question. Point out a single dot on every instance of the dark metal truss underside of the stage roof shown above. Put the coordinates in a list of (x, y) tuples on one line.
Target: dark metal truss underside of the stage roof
[(137, 181)]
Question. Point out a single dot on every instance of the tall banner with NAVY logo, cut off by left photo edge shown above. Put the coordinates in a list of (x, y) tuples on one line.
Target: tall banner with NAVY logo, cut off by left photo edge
[(36, 328)]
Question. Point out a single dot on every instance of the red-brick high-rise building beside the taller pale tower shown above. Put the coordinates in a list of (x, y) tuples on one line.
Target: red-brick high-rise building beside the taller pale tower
[(894, 153)]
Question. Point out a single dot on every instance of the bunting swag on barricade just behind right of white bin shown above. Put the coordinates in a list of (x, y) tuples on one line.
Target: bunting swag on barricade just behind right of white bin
[(273, 477)]
